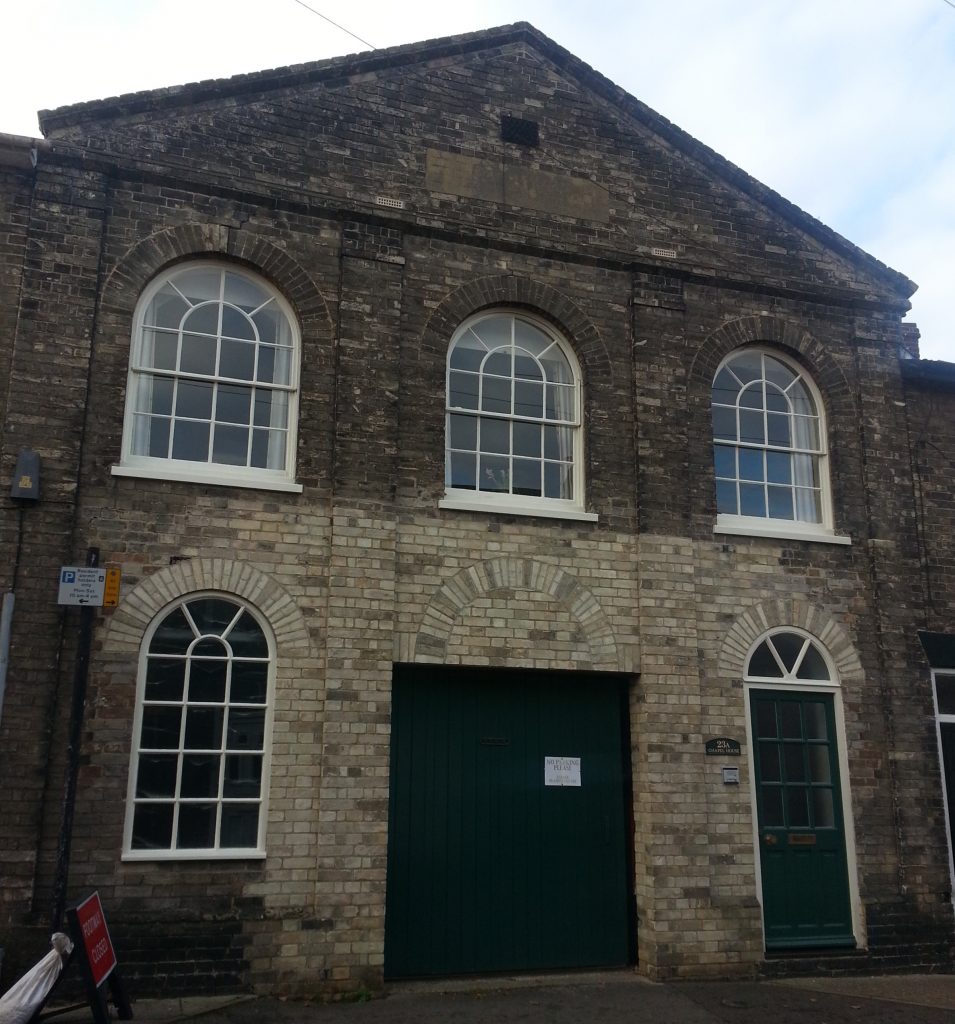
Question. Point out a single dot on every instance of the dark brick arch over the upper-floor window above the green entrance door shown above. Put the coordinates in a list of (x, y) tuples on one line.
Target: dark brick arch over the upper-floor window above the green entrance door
[(770, 331)]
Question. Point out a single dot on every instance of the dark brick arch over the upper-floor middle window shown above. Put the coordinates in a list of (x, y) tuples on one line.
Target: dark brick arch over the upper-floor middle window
[(513, 291)]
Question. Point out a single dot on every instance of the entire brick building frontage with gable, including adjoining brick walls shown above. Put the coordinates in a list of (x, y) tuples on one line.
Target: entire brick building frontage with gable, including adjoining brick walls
[(537, 538)]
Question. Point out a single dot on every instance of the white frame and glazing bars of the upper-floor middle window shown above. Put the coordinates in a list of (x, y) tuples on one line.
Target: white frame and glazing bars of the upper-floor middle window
[(462, 499)]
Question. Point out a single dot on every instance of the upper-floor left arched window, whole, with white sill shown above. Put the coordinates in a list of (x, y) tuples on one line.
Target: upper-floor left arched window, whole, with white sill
[(213, 379)]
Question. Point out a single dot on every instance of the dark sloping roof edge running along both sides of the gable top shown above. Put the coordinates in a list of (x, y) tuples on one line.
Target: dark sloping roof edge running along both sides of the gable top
[(338, 71)]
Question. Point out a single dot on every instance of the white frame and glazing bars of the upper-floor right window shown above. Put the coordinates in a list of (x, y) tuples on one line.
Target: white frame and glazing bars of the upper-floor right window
[(769, 527)]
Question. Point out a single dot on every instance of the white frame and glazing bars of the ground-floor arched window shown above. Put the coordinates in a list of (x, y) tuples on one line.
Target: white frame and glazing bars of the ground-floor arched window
[(199, 854)]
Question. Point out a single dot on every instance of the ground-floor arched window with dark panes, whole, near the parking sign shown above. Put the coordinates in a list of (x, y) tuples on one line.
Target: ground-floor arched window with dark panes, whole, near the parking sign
[(200, 759)]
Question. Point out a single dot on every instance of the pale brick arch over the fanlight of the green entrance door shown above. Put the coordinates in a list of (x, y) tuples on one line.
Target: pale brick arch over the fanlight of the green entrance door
[(760, 619)]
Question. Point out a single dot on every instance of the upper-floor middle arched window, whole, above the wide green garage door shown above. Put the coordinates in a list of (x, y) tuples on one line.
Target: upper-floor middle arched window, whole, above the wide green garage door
[(514, 438)]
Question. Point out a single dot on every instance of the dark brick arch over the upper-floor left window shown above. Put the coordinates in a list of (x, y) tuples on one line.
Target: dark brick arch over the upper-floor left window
[(143, 262)]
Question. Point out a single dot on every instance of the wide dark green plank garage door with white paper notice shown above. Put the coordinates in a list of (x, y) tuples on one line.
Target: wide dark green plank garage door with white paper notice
[(493, 865)]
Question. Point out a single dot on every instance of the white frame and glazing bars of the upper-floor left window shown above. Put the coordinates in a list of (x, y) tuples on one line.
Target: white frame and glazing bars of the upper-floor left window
[(208, 473)]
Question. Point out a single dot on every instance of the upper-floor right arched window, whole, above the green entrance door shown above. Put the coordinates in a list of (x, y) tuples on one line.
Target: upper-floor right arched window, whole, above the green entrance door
[(770, 449)]
